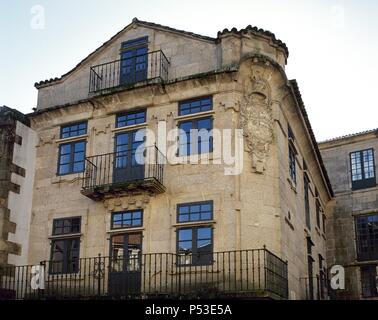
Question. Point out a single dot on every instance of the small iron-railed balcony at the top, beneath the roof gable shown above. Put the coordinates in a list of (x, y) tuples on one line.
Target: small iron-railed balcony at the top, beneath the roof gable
[(148, 68)]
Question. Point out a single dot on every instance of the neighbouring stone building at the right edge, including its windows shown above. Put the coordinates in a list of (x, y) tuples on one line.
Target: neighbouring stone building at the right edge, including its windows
[(352, 228)]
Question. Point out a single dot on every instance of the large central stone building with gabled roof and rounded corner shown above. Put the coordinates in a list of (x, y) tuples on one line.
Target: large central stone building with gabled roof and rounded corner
[(105, 224)]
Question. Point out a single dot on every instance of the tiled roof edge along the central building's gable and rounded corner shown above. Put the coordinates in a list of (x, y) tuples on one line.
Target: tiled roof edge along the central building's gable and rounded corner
[(135, 21)]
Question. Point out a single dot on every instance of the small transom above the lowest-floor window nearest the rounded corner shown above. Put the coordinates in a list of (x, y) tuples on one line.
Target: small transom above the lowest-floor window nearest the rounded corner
[(195, 212)]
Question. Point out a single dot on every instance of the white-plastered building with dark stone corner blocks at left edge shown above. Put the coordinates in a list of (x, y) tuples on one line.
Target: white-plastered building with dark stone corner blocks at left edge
[(17, 154)]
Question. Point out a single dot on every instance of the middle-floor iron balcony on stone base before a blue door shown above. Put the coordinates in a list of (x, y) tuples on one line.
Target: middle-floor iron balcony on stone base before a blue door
[(122, 172)]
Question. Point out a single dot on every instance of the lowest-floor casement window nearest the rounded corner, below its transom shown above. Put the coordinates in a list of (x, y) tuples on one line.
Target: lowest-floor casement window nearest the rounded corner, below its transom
[(195, 246)]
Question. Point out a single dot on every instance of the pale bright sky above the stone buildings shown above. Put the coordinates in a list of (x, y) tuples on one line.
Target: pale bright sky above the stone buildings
[(333, 46)]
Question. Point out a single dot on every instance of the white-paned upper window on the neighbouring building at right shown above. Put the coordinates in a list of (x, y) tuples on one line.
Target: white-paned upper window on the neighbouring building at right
[(363, 169)]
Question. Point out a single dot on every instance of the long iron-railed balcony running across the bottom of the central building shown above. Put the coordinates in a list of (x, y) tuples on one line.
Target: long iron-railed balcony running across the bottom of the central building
[(255, 273)]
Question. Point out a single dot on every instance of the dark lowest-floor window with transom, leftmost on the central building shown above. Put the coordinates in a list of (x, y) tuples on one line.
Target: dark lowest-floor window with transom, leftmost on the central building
[(65, 252)]
